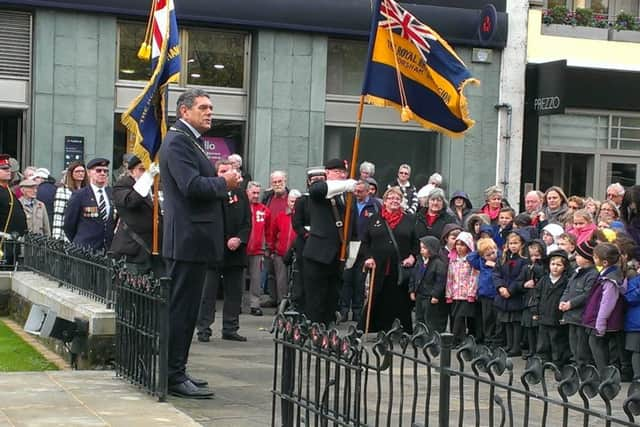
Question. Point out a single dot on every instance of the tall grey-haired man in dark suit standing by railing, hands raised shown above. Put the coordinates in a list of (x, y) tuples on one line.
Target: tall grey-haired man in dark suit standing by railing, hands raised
[(193, 228)]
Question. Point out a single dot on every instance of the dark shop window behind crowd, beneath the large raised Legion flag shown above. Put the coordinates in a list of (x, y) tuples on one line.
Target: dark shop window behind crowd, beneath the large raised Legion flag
[(387, 149)]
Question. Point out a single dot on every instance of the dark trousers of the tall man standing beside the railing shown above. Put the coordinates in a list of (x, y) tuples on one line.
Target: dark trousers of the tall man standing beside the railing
[(187, 280)]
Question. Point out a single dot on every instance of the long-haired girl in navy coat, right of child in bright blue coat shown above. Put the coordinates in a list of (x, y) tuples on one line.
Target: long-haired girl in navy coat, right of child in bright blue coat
[(509, 279)]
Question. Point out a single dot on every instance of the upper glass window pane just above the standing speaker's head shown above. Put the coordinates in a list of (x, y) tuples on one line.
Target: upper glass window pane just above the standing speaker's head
[(215, 58)]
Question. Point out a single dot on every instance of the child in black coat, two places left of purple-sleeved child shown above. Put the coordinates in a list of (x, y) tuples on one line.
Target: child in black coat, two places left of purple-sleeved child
[(552, 336)]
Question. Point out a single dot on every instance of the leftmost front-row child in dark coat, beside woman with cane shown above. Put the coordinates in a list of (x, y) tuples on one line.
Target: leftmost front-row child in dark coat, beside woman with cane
[(427, 286)]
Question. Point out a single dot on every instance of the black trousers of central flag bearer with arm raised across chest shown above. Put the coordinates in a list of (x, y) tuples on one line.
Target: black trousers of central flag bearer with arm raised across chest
[(321, 282)]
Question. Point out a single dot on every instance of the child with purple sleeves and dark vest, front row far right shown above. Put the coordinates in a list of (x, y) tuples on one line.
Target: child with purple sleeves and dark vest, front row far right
[(604, 312)]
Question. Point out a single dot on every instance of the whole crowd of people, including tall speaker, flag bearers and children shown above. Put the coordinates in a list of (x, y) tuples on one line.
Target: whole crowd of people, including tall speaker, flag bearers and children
[(558, 280)]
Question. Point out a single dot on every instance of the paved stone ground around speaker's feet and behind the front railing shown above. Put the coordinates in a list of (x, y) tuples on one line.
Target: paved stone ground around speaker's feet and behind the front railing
[(240, 374)]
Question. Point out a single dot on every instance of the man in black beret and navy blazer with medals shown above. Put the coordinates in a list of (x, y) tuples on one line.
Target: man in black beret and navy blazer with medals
[(88, 218)]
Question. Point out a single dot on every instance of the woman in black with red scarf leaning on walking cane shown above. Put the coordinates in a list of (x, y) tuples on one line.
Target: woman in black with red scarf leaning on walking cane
[(391, 262)]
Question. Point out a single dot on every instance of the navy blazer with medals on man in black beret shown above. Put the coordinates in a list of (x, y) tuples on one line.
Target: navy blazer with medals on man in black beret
[(82, 222)]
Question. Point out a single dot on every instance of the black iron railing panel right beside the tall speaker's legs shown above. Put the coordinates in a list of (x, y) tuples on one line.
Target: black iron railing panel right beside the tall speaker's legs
[(142, 317)]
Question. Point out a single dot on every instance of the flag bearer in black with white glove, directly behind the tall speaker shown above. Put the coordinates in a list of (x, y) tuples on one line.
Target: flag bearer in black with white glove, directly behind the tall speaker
[(133, 238)]
